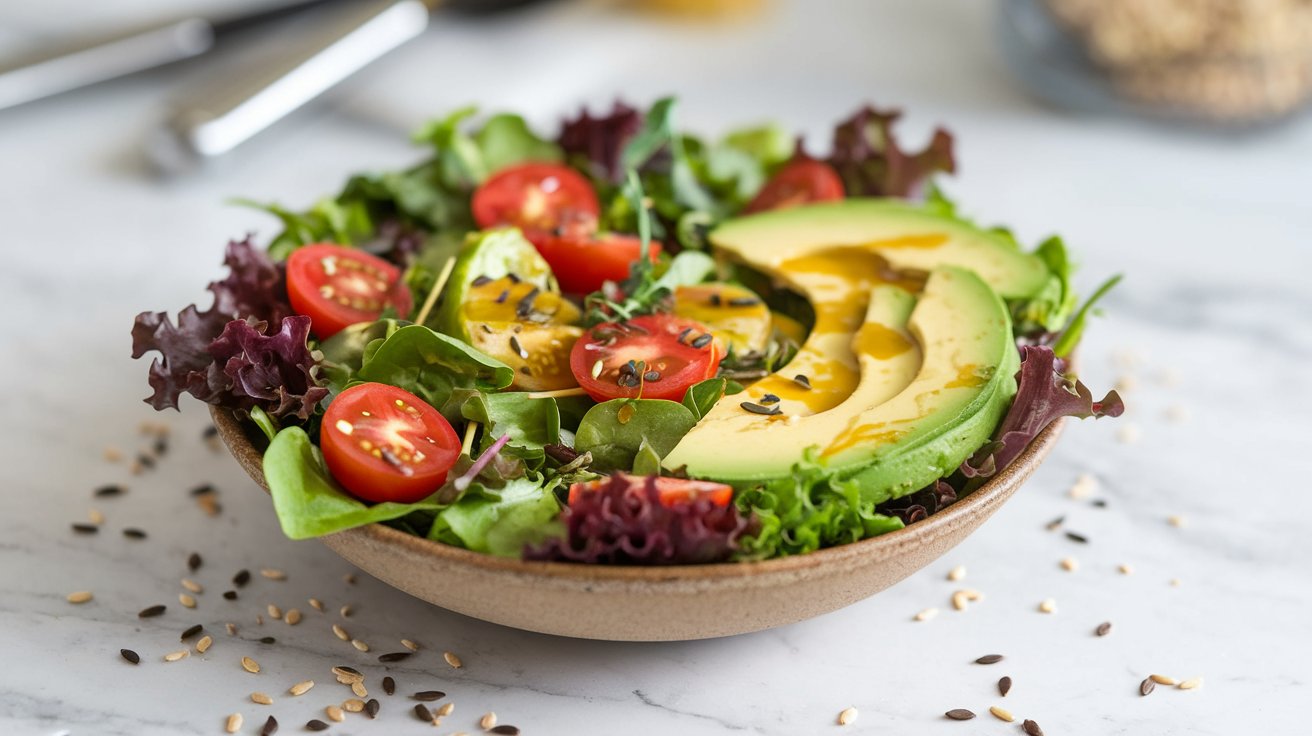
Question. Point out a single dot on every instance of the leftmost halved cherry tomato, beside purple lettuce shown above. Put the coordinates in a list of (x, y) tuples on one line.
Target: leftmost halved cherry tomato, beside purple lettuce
[(338, 287)]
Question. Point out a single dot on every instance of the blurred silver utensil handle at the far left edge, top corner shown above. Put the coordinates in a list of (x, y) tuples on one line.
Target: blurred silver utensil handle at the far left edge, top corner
[(89, 62)]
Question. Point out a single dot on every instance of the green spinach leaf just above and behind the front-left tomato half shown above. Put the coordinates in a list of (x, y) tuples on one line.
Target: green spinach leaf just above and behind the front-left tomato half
[(434, 367)]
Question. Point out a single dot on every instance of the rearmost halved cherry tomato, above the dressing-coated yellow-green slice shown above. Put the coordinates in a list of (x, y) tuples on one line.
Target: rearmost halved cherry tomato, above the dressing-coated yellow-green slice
[(537, 199)]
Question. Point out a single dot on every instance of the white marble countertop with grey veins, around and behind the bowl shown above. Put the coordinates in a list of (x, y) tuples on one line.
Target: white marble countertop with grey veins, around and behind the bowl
[(1213, 326)]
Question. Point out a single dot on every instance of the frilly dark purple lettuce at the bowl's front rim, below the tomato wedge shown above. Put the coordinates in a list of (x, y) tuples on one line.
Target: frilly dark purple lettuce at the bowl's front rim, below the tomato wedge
[(624, 523)]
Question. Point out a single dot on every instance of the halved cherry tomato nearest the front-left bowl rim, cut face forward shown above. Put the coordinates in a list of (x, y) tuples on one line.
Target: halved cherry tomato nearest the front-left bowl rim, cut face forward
[(385, 444)]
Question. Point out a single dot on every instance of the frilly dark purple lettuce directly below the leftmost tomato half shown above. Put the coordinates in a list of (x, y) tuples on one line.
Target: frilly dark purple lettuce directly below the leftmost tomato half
[(275, 372)]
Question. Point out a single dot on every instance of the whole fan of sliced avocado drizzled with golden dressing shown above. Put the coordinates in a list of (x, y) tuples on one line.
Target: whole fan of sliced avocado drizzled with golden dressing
[(905, 376)]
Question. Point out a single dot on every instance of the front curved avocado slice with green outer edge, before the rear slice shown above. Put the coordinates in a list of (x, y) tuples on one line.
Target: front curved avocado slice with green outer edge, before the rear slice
[(936, 373)]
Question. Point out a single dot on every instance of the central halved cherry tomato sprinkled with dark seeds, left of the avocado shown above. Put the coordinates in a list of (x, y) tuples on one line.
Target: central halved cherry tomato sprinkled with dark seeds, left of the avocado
[(650, 358)]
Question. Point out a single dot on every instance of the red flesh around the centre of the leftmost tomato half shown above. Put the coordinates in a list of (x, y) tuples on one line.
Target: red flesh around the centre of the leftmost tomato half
[(306, 276)]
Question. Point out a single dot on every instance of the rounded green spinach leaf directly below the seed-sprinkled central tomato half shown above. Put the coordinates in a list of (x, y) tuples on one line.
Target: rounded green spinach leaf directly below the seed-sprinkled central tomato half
[(616, 431)]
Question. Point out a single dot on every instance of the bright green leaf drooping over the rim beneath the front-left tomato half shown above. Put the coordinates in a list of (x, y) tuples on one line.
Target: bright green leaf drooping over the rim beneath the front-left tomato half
[(309, 502)]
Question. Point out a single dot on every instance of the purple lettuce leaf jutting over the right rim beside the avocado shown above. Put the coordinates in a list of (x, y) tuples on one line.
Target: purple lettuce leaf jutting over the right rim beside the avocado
[(1044, 396)]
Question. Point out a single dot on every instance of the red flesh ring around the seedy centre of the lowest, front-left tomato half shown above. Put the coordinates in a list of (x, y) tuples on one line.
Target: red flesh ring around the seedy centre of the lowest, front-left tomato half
[(373, 480)]
